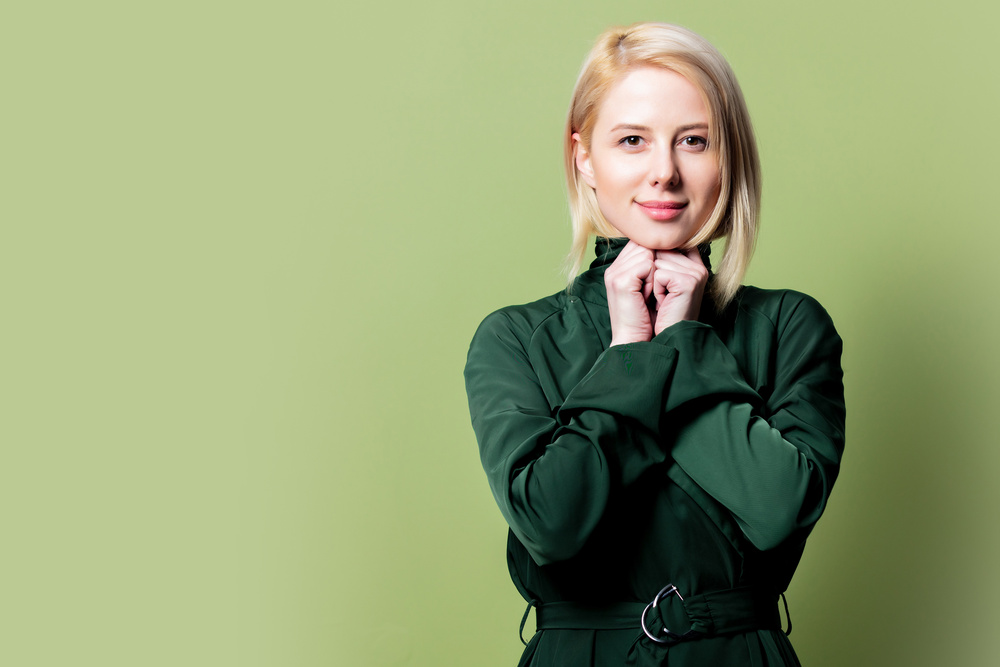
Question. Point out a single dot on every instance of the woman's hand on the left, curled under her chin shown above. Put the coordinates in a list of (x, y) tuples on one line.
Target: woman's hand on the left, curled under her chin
[(629, 282)]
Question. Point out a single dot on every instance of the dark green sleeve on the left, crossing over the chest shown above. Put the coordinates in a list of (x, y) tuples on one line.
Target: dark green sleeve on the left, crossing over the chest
[(552, 474)]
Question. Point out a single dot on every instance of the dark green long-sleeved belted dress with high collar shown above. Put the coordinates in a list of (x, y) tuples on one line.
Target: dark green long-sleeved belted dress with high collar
[(700, 459)]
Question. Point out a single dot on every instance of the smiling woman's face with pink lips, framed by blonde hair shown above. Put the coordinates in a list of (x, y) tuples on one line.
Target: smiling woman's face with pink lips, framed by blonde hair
[(649, 162)]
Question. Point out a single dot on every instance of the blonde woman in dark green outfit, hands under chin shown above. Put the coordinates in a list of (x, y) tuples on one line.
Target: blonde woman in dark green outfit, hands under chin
[(660, 439)]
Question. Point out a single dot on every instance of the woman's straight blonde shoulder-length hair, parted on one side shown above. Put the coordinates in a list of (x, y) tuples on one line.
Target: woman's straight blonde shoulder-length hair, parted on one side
[(735, 216)]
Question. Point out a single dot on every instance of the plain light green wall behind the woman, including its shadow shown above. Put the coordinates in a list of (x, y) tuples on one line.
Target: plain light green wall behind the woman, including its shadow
[(245, 246)]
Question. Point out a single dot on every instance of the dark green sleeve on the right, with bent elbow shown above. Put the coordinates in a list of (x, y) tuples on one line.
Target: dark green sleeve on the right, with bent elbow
[(771, 463)]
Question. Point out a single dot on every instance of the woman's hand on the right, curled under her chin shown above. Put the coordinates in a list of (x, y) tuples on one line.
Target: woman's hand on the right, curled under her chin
[(678, 285)]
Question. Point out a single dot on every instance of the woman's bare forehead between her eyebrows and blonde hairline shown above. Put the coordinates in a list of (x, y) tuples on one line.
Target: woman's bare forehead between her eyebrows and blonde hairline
[(652, 96)]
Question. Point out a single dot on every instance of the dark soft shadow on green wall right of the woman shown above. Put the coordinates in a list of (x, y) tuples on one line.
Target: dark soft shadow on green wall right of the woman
[(913, 502)]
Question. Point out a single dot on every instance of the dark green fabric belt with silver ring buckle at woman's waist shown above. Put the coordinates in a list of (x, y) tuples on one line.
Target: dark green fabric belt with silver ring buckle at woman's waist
[(666, 620)]
